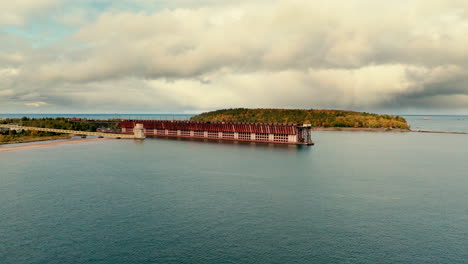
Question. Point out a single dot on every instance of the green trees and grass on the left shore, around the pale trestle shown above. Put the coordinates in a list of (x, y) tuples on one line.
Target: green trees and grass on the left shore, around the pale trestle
[(12, 136)]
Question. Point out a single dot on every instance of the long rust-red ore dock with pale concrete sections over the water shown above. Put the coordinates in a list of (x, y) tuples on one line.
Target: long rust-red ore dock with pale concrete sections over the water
[(236, 131)]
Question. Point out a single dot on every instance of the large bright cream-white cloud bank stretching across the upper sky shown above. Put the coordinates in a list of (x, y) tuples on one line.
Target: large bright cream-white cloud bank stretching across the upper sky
[(288, 35)]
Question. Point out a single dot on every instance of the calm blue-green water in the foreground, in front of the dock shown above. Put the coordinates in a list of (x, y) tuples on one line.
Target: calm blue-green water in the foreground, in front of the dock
[(354, 197)]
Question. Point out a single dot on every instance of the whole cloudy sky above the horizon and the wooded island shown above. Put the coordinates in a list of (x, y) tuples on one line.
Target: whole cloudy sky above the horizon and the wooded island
[(184, 56)]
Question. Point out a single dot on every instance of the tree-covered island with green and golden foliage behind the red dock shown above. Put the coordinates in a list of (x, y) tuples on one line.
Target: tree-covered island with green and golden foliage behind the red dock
[(317, 118)]
